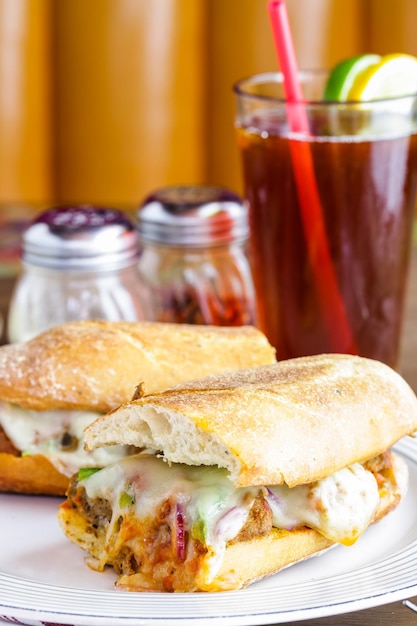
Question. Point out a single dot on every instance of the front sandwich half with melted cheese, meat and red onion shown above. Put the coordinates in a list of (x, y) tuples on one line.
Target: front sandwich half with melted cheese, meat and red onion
[(243, 473)]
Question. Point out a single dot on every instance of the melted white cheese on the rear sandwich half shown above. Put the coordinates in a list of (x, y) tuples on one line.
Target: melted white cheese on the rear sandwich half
[(40, 432)]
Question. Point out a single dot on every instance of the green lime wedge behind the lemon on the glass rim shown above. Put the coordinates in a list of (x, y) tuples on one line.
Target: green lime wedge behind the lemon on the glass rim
[(345, 74)]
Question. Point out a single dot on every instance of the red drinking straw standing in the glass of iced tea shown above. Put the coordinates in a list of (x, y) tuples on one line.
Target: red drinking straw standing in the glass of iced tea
[(333, 307)]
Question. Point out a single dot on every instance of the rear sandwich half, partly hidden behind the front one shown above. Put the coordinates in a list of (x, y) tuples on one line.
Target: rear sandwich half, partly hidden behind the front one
[(54, 385)]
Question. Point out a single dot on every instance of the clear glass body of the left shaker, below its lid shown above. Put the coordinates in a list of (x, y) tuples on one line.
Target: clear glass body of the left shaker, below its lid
[(44, 297)]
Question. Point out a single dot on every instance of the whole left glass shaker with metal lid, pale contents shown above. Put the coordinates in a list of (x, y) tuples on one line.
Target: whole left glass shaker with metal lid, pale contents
[(78, 262)]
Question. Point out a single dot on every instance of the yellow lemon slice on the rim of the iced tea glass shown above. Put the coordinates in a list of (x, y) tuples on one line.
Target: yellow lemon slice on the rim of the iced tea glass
[(395, 75)]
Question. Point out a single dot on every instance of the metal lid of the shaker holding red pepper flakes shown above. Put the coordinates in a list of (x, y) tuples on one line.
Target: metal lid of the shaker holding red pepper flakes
[(193, 216)]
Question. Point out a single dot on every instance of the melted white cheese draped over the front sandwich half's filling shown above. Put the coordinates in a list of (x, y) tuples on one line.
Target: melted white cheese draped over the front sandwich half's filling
[(339, 507)]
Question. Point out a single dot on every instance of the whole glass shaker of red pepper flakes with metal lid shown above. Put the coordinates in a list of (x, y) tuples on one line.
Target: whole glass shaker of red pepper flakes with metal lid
[(193, 259)]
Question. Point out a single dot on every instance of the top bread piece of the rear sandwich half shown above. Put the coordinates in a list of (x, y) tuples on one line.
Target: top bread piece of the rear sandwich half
[(97, 365)]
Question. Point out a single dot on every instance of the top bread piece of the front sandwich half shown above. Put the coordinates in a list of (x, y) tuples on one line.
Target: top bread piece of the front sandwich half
[(291, 422)]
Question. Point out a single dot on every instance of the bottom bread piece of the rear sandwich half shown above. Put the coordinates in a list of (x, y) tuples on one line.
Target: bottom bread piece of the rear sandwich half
[(31, 474)]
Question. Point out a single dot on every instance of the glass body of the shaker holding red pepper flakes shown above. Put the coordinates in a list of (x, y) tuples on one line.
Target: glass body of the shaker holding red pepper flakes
[(199, 285)]
